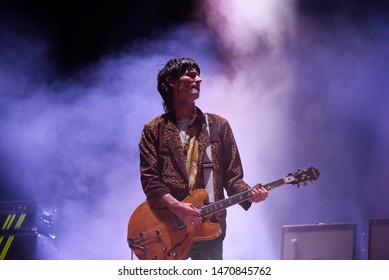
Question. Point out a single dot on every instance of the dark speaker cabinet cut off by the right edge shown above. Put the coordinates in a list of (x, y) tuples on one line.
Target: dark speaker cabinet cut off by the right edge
[(378, 239)]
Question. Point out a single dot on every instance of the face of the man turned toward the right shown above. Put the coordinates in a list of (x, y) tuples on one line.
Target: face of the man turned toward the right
[(187, 87)]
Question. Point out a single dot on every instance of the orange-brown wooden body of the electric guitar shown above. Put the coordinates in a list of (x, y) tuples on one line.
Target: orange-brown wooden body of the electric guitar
[(154, 232)]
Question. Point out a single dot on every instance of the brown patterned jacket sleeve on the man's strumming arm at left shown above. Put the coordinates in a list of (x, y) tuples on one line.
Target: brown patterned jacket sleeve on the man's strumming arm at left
[(150, 171)]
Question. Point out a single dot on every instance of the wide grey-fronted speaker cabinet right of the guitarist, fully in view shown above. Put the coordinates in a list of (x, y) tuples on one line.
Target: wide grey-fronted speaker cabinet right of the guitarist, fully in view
[(318, 242)]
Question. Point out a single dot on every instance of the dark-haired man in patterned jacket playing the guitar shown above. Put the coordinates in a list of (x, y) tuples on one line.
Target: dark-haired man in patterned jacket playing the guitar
[(173, 149)]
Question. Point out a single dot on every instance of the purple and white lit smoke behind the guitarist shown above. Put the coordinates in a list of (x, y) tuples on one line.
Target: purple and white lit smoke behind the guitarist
[(299, 91)]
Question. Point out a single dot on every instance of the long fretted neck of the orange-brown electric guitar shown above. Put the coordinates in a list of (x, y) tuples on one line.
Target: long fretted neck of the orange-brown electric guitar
[(238, 198)]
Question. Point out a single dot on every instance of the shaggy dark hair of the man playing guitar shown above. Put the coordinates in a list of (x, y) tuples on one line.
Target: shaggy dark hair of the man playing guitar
[(171, 72)]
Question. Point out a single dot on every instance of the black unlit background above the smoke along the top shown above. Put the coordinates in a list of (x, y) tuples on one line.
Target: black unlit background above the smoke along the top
[(80, 32)]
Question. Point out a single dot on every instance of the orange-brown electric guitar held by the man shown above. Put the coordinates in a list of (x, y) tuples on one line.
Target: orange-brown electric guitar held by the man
[(155, 233)]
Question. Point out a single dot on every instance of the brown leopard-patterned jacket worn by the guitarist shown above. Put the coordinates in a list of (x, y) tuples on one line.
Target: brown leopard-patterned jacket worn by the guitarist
[(162, 160)]
